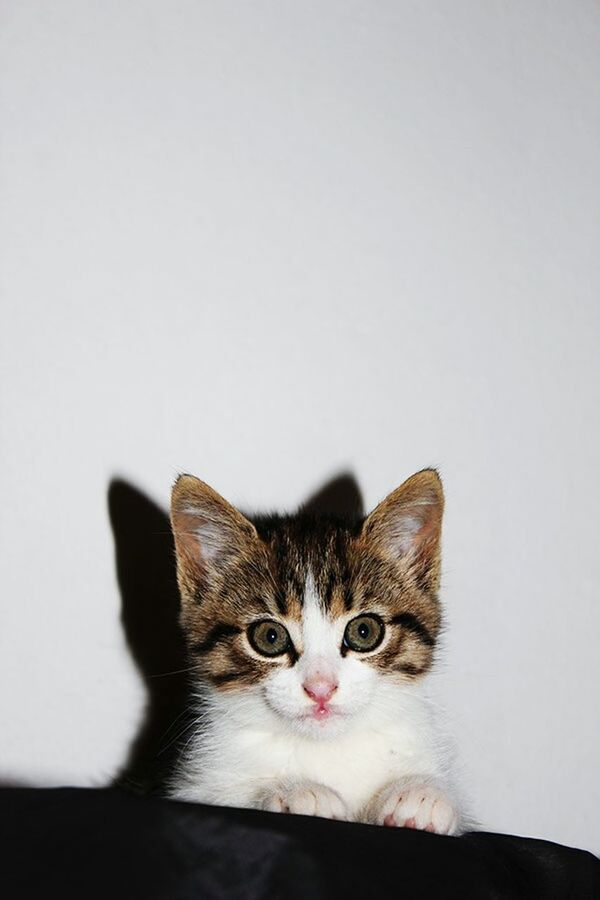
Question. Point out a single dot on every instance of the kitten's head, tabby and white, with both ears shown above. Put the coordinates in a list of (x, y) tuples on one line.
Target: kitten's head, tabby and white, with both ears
[(312, 614)]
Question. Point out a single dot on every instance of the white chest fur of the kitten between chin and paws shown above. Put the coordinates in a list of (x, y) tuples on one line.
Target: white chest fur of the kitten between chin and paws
[(242, 749)]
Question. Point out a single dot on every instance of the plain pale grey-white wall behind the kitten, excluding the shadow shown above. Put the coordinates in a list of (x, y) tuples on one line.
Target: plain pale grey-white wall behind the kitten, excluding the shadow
[(268, 242)]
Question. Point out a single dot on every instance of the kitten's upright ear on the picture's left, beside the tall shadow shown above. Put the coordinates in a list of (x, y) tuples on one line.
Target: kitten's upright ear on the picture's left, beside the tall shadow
[(208, 533)]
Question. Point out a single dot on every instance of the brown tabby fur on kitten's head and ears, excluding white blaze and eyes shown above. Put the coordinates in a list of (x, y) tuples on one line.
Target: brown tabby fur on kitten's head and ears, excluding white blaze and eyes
[(232, 572)]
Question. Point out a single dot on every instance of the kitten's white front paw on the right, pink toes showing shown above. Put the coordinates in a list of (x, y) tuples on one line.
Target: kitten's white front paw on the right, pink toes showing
[(415, 805)]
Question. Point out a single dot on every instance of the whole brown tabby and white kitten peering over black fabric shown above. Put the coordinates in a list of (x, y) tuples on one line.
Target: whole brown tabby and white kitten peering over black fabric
[(310, 636)]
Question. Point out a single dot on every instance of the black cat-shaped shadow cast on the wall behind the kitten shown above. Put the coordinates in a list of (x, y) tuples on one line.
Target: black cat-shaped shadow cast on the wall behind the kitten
[(145, 562)]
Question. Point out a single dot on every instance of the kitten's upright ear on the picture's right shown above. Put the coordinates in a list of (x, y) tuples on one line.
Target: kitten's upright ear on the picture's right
[(407, 524)]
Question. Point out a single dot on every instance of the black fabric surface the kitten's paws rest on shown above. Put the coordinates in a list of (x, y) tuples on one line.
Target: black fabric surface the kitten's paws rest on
[(81, 843)]
